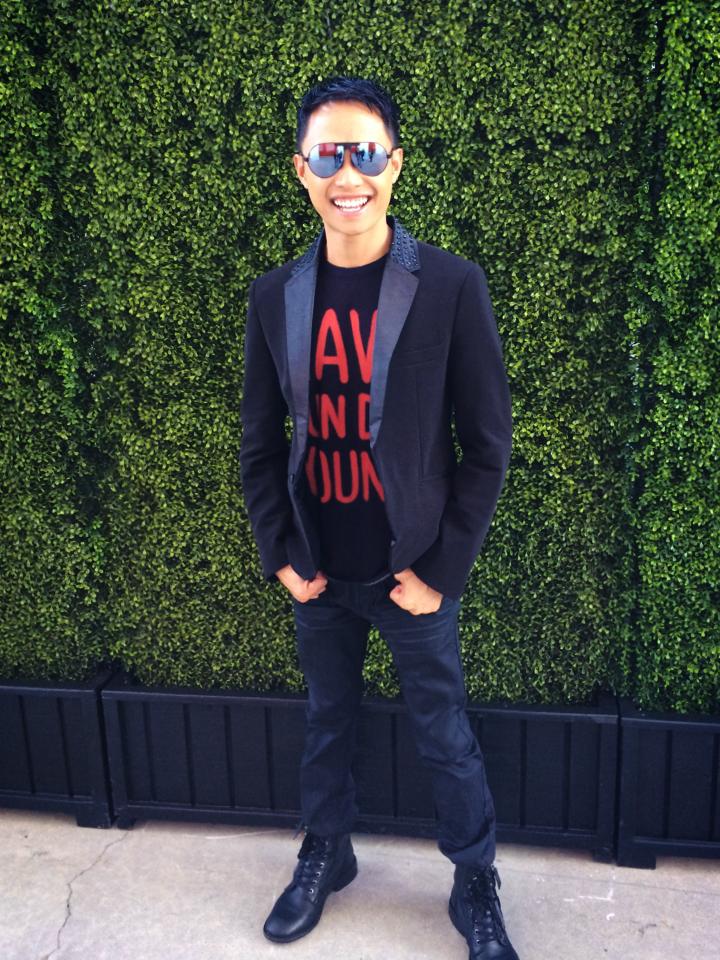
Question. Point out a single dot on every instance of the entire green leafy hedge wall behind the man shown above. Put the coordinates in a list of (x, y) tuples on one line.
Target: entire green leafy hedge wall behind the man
[(146, 179)]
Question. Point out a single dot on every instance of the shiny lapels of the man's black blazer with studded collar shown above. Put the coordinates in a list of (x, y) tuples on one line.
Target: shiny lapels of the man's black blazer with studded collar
[(397, 291)]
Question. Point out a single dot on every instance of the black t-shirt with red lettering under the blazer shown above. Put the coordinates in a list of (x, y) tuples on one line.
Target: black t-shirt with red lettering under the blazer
[(346, 494)]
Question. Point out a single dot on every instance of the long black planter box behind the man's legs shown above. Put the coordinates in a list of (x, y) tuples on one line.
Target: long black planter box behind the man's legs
[(233, 756)]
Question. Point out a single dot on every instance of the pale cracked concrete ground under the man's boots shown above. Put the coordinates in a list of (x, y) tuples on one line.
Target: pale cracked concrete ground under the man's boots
[(180, 891)]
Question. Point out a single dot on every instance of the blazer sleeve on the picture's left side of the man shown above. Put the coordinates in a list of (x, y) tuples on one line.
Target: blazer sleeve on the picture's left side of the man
[(264, 449)]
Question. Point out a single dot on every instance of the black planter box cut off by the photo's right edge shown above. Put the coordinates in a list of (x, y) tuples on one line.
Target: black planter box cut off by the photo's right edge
[(669, 800)]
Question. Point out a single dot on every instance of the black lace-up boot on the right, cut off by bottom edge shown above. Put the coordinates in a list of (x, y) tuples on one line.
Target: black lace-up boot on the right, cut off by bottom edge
[(475, 910)]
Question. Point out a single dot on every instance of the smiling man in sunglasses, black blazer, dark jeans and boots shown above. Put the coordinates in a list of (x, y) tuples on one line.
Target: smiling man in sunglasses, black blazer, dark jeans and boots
[(371, 341)]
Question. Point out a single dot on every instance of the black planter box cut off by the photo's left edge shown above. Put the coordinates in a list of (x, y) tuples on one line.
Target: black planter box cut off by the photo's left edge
[(52, 754)]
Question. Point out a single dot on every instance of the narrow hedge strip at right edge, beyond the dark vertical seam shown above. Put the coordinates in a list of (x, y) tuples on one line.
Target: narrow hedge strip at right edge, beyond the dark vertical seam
[(675, 331)]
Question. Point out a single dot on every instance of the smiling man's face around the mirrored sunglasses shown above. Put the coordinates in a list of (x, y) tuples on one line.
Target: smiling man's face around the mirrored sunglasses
[(348, 121)]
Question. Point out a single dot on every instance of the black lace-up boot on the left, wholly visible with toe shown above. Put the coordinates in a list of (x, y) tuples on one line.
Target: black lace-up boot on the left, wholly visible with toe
[(326, 864)]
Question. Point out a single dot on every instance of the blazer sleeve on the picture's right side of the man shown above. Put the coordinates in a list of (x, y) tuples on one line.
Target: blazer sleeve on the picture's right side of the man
[(480, 396)]
